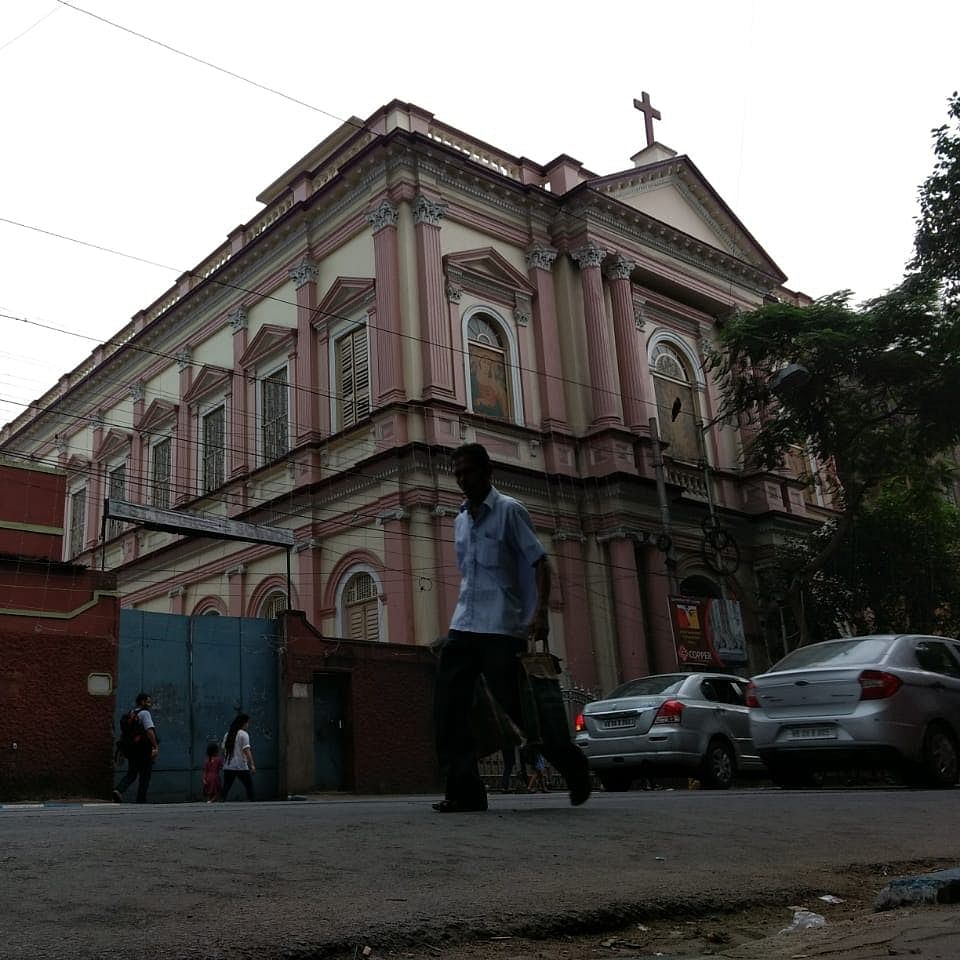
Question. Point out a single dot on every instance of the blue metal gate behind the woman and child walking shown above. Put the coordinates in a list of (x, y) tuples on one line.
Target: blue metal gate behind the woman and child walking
[(201, 672)]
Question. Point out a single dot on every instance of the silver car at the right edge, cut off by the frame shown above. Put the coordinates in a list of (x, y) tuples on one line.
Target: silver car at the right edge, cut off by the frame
[(893, 700)]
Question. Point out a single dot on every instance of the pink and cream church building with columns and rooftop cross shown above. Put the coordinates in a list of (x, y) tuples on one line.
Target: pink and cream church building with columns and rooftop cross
[(408, 287)]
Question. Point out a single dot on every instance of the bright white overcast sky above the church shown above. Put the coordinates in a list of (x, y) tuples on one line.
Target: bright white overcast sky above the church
[(812, 120)]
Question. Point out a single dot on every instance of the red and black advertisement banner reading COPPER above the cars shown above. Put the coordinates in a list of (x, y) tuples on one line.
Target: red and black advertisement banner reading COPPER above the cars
[(707, 633)]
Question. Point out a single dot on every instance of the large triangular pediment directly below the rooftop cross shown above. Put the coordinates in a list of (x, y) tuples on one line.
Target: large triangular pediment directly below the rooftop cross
[(674, 192)]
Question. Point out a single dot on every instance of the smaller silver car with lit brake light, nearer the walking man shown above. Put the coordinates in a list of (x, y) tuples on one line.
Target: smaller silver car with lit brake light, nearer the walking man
[(691, 723)]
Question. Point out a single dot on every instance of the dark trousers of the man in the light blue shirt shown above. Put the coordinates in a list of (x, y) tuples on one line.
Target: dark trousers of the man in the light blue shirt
[(463, 657)]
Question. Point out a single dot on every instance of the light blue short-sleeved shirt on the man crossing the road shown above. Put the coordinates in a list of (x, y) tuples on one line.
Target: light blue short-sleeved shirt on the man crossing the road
[(496, 554)]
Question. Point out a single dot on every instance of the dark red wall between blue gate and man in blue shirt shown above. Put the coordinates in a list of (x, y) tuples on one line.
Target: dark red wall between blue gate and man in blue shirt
[(389, 724)]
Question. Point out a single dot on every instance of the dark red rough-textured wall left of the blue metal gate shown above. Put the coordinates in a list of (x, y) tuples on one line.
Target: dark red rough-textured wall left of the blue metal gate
[(63, 734)]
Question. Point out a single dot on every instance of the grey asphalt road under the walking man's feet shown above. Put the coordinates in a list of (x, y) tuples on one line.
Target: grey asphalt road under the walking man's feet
[(309, 879)]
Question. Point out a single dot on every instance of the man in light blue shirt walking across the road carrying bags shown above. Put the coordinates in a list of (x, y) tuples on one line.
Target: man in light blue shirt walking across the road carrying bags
[(504, 593)]
